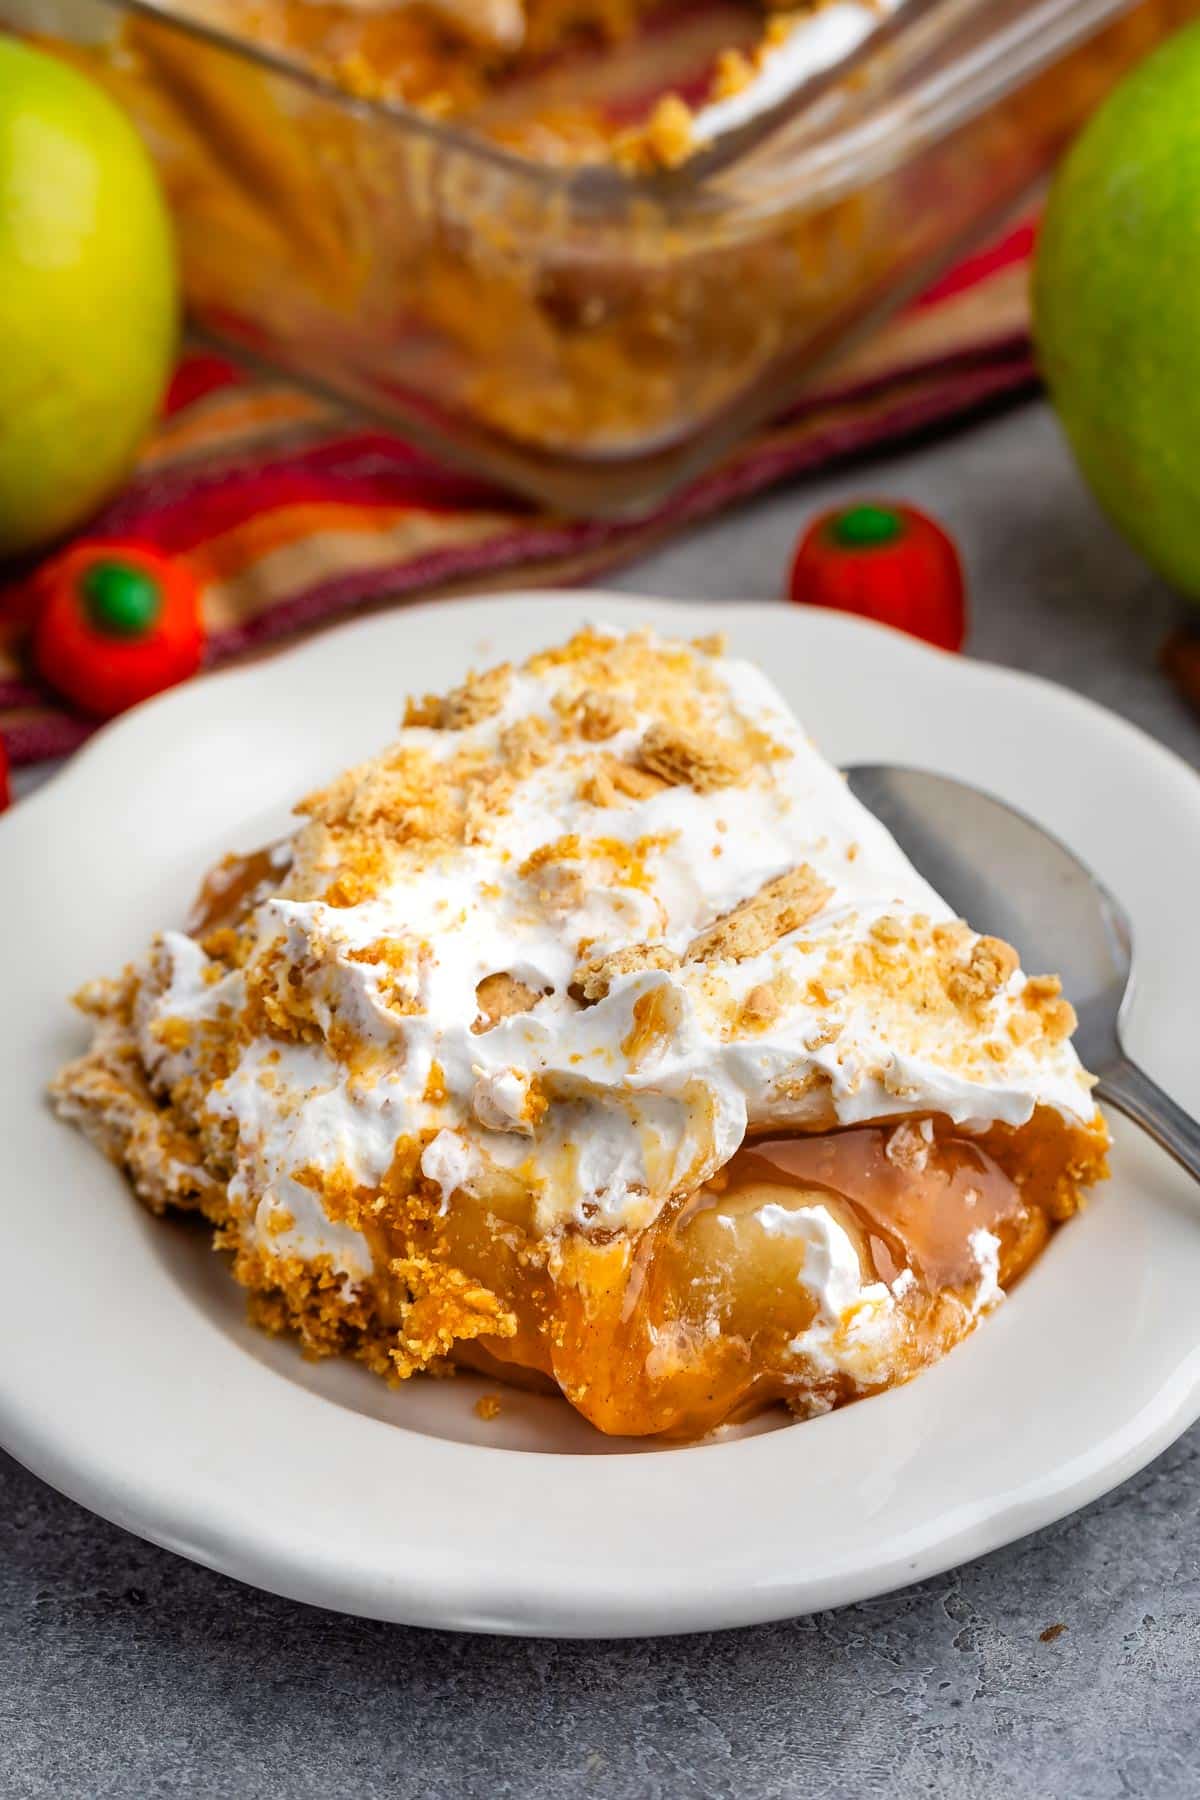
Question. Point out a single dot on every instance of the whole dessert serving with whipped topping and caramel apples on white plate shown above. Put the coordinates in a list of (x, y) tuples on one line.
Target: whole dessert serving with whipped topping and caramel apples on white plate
[(593, 1034)]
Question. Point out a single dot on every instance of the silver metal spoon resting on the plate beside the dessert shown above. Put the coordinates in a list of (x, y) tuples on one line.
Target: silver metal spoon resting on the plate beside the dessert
[(1008, 877)]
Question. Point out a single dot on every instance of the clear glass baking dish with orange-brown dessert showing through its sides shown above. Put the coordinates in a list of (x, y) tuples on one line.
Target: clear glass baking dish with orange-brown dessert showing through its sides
[(587, 334)]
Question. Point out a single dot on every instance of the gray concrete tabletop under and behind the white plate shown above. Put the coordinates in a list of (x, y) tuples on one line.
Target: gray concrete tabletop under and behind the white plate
[(1068, 1666)]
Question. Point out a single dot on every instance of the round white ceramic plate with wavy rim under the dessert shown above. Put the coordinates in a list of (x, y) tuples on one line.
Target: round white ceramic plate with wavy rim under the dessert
[(130, 1381)]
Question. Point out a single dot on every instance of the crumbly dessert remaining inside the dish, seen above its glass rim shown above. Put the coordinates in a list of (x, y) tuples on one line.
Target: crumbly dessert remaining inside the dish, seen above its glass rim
[(575, 98)]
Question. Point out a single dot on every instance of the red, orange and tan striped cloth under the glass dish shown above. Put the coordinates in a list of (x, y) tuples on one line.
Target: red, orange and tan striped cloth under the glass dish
[(294, 512)]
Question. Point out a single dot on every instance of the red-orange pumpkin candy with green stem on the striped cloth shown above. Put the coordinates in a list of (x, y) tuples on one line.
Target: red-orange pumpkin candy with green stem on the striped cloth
[(116, 624)]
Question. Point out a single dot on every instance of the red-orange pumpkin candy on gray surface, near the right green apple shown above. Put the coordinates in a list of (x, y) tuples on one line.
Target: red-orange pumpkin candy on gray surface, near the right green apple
[(884, 562)]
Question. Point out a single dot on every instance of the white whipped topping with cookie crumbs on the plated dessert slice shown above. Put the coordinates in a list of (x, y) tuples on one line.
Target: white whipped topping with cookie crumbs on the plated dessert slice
[(372, 1023)]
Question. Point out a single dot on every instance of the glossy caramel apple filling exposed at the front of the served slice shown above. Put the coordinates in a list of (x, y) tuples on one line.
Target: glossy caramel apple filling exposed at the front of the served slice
[(692, 1322)]
